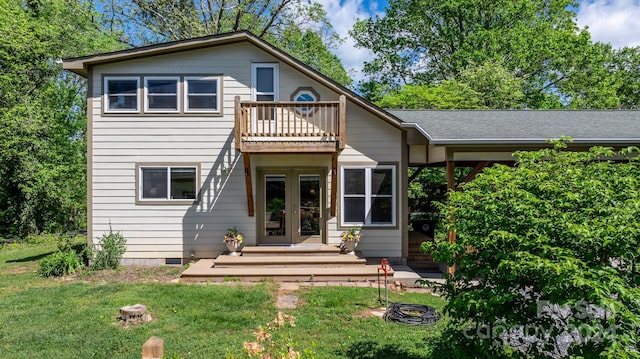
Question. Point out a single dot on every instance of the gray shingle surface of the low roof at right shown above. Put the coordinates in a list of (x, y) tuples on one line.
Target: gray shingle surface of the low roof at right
[(524, 126)]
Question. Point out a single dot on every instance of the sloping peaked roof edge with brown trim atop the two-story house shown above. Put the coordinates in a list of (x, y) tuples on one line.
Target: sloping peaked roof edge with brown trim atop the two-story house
[(81, 65)]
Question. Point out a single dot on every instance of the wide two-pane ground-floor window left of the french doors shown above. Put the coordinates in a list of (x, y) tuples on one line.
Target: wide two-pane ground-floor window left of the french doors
[(168, 182)]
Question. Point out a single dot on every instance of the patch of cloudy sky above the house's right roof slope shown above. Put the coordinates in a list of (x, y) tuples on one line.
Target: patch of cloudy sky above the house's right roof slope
[(342, 15)]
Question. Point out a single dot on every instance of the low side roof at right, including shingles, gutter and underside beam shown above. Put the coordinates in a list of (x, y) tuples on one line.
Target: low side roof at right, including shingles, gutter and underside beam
[(493, 135)]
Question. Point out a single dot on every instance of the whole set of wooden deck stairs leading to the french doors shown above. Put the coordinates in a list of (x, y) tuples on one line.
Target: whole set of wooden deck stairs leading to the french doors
[(284, 263)]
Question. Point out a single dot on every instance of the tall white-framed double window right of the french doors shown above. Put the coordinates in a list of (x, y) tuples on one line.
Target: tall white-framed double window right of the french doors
[(368, 196)]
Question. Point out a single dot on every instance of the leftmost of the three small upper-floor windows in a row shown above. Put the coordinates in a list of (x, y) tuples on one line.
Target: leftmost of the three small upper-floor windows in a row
[(121, 94)]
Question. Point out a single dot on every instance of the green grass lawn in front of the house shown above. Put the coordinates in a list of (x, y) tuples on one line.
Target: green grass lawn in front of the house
[(77, 317)]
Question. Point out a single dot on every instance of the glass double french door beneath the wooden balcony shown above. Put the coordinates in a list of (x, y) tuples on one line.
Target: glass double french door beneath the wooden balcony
[(291, 207)]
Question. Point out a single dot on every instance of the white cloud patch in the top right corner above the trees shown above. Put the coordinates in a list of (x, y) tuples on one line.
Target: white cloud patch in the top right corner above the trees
[(612, 21)]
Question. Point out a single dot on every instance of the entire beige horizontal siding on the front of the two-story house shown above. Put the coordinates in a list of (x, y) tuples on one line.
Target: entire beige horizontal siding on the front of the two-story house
[(119, 142)]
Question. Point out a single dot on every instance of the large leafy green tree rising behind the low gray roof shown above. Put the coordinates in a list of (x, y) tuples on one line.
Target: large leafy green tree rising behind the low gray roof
[(425, 42)]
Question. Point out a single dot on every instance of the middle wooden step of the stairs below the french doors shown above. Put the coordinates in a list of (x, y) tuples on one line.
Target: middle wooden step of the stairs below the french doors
[(288, 261)]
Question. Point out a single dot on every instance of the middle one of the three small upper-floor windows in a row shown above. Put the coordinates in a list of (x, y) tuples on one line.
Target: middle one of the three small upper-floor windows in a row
[(161, 94)]
